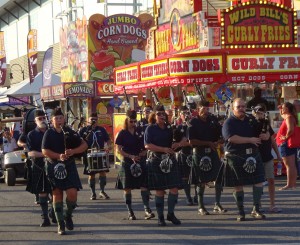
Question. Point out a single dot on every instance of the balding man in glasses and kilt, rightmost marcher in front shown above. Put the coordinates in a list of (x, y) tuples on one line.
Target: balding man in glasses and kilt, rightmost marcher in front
[(243, 164)]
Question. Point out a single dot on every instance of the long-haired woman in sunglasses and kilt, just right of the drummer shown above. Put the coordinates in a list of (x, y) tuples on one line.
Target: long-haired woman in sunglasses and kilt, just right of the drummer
[(133, 171)]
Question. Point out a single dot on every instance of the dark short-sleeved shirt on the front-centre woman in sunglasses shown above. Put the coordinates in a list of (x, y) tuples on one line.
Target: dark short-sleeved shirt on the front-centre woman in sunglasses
[(158, 136)]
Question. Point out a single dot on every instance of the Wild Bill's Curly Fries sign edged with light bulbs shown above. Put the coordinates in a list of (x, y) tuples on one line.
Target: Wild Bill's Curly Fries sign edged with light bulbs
[(258, 24)]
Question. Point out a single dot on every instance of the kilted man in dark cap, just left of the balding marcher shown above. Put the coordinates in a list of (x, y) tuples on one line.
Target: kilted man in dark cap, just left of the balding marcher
[(204, 135)]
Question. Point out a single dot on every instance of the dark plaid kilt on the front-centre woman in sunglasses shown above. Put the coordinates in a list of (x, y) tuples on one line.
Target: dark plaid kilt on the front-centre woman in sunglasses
[(158, 180)]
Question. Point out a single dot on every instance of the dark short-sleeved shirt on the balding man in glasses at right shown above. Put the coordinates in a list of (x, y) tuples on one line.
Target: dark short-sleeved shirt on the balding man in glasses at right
[(244, 128)]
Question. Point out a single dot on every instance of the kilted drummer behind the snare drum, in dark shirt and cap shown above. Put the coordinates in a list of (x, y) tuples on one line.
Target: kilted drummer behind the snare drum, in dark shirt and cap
[(96, 137)]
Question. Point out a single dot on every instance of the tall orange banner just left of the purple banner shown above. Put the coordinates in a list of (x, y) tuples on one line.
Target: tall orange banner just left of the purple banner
[(32, 54)]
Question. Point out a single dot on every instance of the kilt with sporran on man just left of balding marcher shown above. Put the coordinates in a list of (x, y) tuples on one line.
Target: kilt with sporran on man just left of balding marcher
[(205, 166)]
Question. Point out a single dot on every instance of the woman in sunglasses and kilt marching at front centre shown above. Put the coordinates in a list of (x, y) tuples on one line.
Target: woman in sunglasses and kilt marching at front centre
[(163, 169)]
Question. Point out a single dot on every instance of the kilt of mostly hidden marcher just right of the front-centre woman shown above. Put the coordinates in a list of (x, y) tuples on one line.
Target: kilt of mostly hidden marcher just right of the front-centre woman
[(182, 157)]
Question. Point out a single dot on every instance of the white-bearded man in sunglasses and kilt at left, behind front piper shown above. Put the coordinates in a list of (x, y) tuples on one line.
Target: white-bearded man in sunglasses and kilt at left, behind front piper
[(38, 183)]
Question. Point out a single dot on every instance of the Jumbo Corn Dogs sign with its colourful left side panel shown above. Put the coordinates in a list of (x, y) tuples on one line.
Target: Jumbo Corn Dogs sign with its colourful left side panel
[(90, 51)]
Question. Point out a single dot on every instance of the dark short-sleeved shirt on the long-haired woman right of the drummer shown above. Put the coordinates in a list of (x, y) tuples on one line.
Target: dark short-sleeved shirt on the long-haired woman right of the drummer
[(130, 143)]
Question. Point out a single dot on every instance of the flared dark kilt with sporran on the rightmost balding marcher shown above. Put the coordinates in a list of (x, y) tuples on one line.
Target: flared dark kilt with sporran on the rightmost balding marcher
[(238, 171)]
